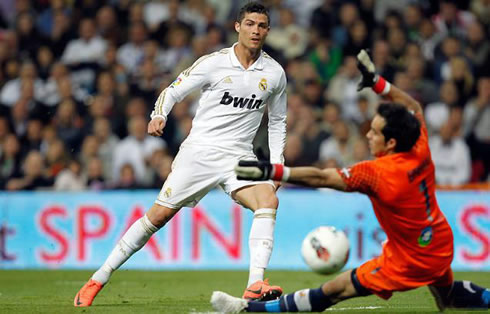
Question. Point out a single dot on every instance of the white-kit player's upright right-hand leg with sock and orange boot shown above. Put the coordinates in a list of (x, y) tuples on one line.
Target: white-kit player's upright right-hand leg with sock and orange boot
[(262, 200)]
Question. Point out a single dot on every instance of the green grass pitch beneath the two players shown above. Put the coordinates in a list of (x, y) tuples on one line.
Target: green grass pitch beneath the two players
[(182, 292)]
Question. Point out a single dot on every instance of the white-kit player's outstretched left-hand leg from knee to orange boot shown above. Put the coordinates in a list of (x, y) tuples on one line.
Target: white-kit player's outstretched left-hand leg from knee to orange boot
[(132, 241)]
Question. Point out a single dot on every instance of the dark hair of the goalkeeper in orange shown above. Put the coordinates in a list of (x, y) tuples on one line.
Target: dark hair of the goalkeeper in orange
[(401, 125)]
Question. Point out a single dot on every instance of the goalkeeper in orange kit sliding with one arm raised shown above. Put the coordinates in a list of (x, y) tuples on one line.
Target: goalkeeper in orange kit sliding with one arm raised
[(400, 183)]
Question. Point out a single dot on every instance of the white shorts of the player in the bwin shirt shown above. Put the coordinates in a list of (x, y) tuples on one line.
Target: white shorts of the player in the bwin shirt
[(196, 170)]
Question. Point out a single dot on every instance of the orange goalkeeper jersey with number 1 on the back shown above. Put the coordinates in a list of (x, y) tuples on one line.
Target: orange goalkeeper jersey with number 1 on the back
[(401, 187)]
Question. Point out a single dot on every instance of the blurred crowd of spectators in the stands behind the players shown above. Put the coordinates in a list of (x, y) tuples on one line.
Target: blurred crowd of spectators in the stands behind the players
[(78, 79)]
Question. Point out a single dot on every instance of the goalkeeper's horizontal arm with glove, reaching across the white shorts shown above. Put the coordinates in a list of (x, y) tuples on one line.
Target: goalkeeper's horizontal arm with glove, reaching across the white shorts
[(305, 176)]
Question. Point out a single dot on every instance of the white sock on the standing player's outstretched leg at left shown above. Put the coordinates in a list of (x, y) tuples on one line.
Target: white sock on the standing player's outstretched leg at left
[(134, 239)]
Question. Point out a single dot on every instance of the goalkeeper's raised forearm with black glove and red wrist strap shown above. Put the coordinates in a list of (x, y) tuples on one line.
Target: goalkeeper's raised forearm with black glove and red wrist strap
[(381, 86)]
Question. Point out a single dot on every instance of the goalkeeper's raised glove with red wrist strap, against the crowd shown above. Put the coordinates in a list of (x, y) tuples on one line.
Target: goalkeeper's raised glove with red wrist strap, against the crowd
[(369, 76)]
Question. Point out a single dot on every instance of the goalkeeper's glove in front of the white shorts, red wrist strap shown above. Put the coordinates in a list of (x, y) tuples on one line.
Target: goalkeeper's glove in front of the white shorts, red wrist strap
[(261, 170)]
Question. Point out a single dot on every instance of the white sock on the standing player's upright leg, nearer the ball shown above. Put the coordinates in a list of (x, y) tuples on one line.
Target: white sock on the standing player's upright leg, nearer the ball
[(260, 242)]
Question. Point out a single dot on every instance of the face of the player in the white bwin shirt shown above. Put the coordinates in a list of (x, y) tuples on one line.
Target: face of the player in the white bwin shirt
[(252, 30)]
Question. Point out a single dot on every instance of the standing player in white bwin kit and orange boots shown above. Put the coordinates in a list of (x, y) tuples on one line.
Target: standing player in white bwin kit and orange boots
[(236, 84)]
